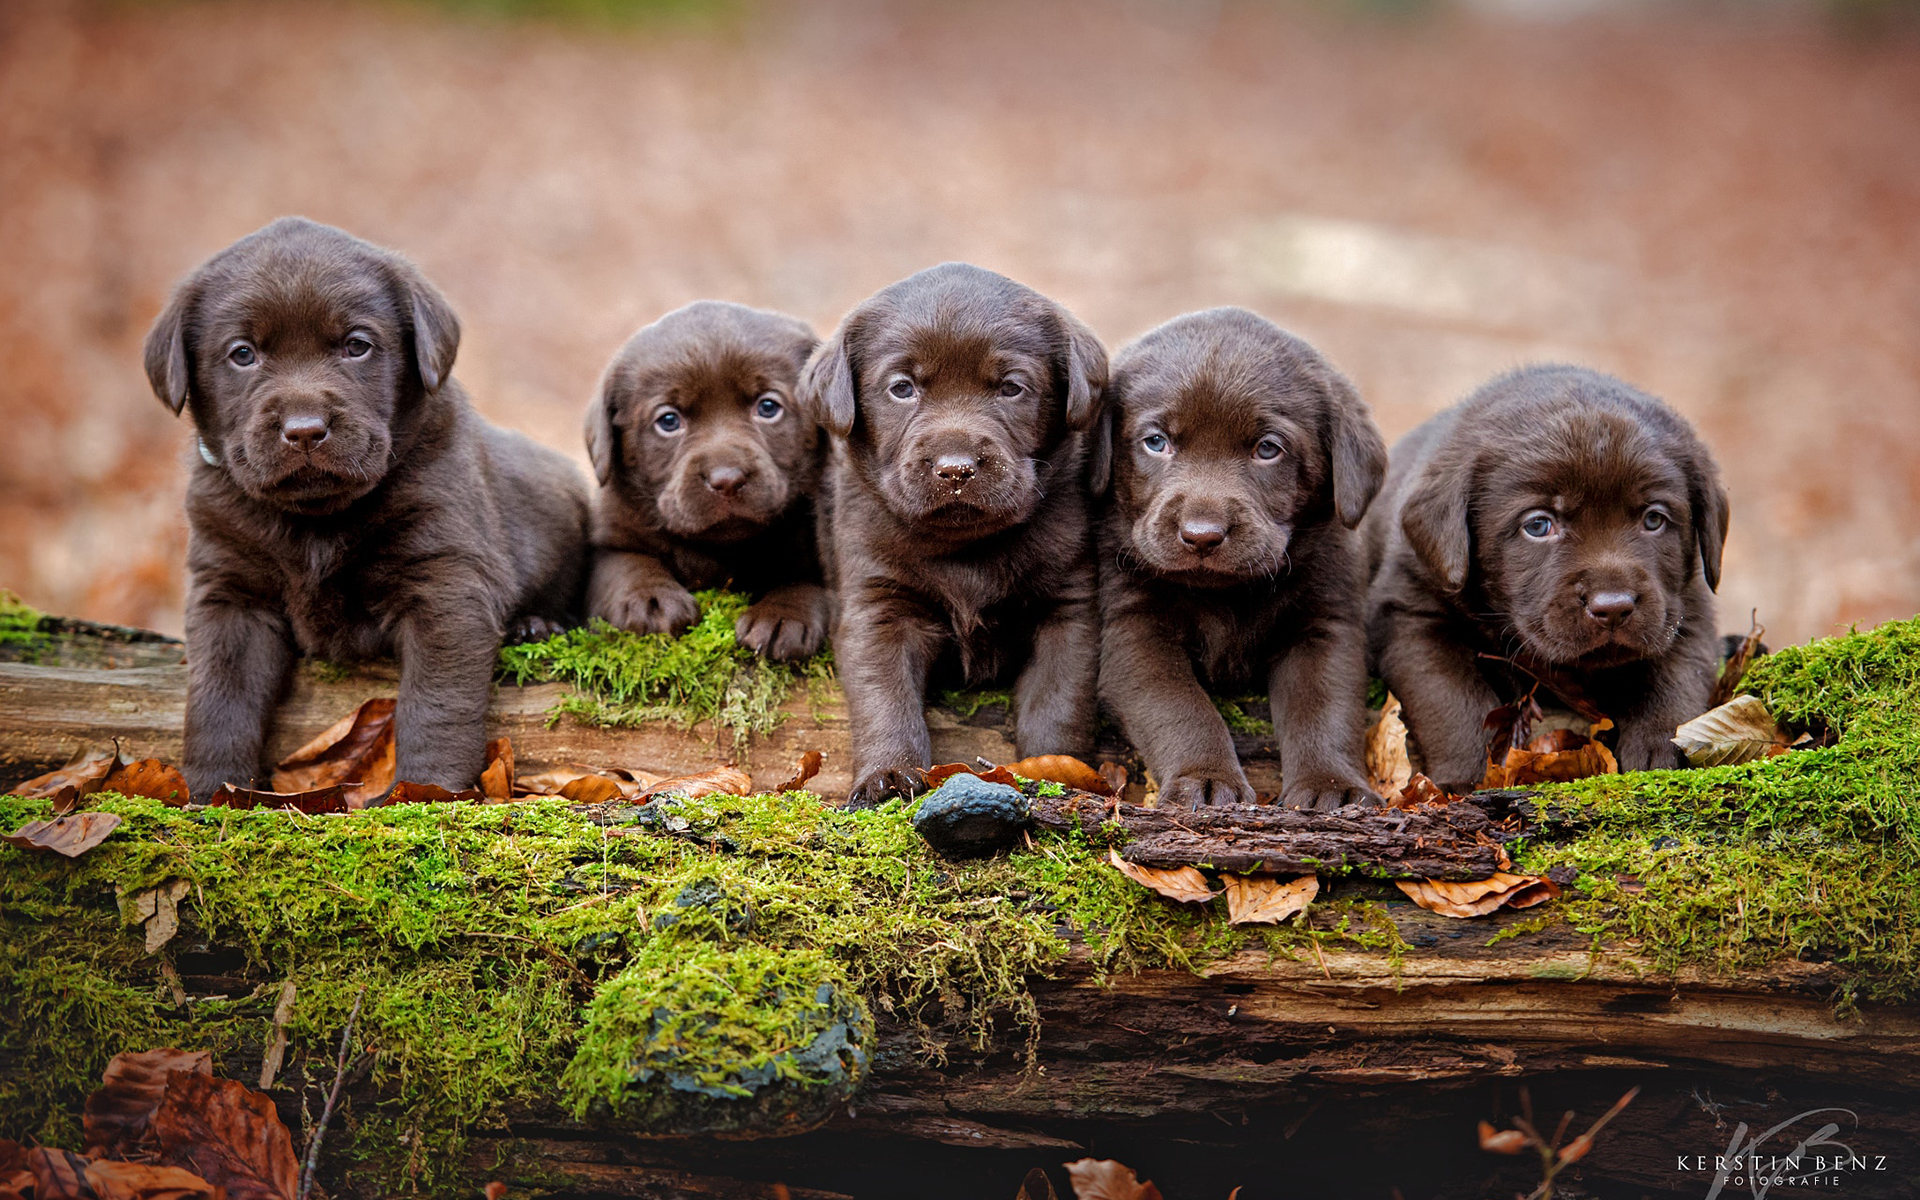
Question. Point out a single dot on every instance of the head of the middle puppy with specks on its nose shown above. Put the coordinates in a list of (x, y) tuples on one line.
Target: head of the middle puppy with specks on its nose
[(951, 389)]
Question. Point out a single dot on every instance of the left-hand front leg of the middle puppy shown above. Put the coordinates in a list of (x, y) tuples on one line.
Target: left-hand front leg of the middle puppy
[(884, 650)]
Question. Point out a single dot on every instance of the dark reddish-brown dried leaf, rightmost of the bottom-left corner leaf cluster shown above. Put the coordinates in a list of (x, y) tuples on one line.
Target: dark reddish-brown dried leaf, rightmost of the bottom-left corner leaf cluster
[(228, 1134)]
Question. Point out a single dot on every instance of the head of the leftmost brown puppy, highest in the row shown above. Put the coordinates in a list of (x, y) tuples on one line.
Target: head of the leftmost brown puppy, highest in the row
[(302, 352)]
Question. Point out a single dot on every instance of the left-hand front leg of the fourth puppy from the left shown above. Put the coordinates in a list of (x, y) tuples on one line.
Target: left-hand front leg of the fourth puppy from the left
[(1149, 683)]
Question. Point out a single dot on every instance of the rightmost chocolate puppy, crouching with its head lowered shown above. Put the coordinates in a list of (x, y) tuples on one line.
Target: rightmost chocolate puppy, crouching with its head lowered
[(1558, 525)]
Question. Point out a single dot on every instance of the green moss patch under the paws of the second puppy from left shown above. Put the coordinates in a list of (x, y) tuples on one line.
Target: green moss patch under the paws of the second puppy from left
[(636, 679)]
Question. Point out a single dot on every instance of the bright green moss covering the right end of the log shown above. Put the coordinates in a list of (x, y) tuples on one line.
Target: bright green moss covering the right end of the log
[(1812, 855)]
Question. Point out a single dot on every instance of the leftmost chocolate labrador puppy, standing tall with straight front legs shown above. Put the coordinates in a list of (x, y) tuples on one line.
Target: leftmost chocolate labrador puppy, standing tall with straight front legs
[(348, 502)]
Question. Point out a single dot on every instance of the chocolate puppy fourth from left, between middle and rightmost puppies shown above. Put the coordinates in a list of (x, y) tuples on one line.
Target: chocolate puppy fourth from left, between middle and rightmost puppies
[(1239, 464)]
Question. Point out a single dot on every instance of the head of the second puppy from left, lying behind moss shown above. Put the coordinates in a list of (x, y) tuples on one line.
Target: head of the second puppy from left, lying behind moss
[(698, 421)]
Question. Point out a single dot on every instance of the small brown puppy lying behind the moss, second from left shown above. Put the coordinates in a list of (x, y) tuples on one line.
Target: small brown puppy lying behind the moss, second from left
[(708, 475)]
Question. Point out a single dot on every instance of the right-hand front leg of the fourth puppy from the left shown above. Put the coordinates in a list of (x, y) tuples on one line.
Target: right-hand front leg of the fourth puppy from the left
[(1318, 692)]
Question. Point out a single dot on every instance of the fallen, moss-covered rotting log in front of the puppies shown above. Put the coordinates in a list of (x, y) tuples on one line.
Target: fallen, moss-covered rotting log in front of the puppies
[(1740, 942)]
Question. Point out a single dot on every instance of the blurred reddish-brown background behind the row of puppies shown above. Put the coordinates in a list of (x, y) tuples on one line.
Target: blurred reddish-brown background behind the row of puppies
[(1719, 203)]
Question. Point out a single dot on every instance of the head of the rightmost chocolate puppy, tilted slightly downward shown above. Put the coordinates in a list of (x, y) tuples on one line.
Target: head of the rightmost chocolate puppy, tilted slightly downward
[(1579, 506)]
